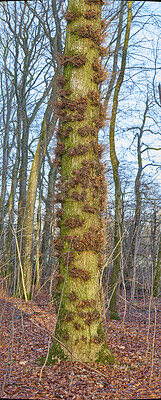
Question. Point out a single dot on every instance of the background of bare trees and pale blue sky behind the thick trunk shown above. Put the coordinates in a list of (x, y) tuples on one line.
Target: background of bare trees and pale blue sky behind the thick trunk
[(32, 39)]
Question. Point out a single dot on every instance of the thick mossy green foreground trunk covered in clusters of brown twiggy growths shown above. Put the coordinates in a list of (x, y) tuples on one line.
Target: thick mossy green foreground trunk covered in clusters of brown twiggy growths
[(82, 190)]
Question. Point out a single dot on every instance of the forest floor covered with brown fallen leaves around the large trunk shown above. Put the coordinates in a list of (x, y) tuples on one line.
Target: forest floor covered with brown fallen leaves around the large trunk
[(24, 338)]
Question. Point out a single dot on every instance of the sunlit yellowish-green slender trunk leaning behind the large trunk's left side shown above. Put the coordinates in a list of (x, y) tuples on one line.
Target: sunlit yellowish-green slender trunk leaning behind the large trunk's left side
[(47, 129)]
